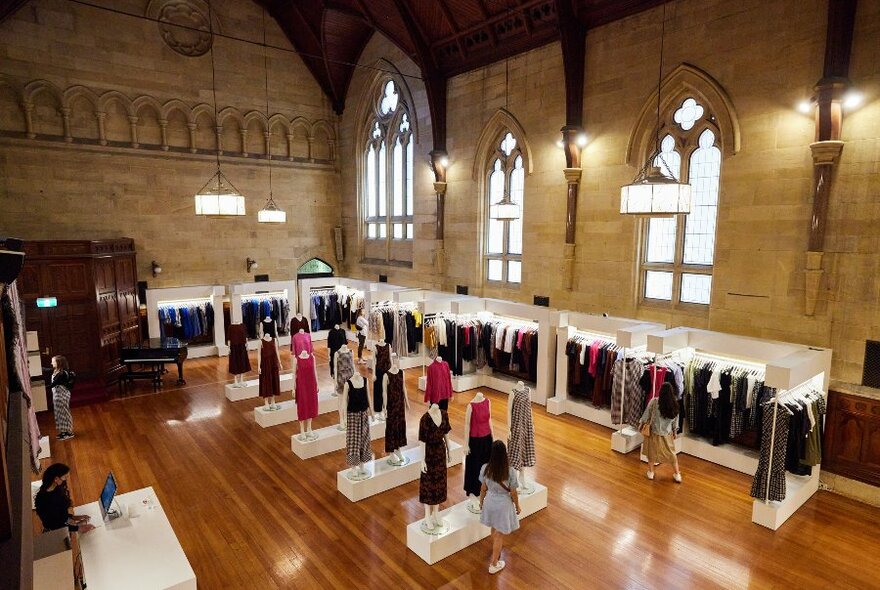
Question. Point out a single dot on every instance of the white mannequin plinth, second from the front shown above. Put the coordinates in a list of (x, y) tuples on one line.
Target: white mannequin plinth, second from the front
[(384, 476)]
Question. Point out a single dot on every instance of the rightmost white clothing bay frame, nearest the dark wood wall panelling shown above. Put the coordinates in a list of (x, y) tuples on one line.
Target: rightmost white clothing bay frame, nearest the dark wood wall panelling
[(785, 366)]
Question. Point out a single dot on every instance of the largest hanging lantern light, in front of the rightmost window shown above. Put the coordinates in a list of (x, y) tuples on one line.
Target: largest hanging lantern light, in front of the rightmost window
[(655, 191)]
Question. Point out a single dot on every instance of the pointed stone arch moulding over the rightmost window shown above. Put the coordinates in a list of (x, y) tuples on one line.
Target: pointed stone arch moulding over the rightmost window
[(691, 81)]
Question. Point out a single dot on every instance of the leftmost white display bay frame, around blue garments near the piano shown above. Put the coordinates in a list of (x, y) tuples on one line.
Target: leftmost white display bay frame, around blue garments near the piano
[(212, 294)]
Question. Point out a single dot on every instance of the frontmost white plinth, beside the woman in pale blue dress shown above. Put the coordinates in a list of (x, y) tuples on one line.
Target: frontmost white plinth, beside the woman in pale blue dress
[(464, 528)]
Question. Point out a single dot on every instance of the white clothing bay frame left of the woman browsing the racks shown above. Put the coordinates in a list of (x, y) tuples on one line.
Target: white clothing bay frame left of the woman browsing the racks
[(628, 334)]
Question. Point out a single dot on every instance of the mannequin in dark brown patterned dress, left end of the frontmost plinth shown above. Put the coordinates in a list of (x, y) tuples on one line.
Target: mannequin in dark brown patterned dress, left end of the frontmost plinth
[(434, 442)]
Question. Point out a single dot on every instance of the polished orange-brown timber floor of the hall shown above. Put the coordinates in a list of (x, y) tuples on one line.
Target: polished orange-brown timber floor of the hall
[(250, 514)]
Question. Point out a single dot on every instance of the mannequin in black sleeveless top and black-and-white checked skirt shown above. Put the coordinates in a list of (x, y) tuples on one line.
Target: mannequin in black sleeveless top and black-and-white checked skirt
[(357, 403)]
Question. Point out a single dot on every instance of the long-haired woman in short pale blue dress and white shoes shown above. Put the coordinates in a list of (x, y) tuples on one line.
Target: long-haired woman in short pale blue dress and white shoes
[(499, 501)]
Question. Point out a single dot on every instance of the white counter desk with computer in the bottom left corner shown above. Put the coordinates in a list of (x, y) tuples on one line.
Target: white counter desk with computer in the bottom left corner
[(139, 553)]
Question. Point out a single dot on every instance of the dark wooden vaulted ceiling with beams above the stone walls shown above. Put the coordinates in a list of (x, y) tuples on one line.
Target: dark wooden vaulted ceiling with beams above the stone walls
[(444, 37)]
